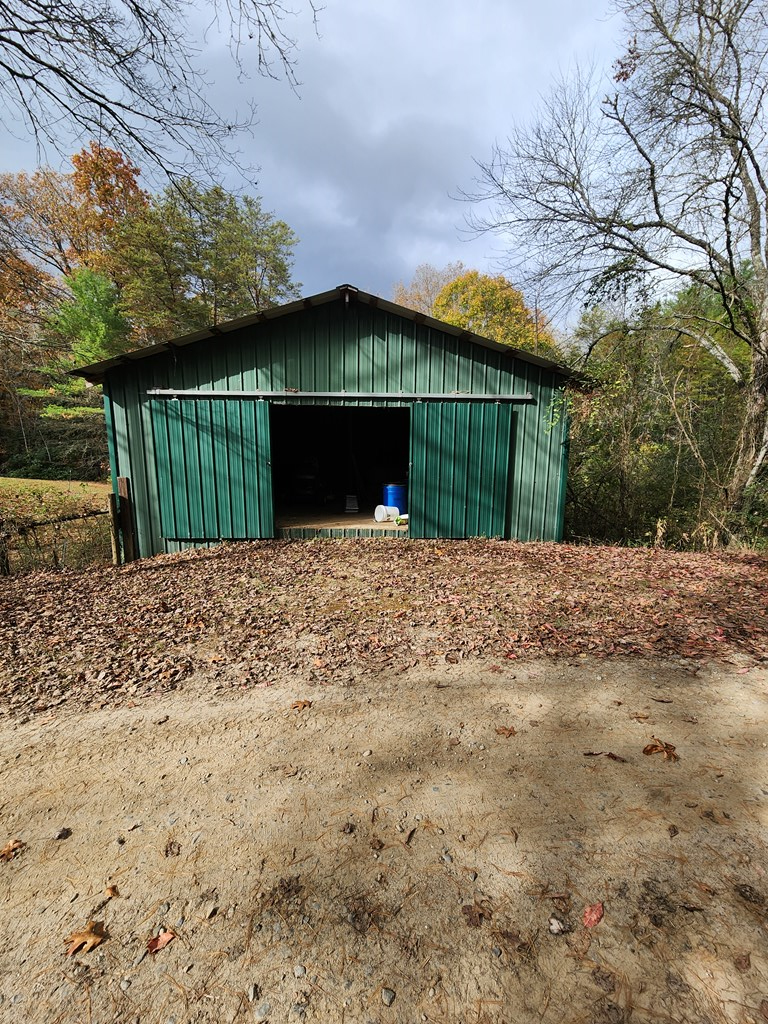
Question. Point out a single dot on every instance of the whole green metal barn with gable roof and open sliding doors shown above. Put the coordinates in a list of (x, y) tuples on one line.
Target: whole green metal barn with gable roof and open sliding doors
[(281, 423)]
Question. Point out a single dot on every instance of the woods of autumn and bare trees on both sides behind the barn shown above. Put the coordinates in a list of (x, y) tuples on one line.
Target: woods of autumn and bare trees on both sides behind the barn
[(633, 209)]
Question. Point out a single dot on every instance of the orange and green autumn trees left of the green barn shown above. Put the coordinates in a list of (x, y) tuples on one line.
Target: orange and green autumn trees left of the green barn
[(93, 266)]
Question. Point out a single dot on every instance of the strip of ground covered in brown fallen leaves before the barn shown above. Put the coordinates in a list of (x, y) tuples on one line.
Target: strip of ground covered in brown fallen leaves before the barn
[(333, 611)]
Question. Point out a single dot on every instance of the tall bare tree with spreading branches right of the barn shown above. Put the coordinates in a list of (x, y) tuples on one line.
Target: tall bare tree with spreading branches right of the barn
[(663, 180)]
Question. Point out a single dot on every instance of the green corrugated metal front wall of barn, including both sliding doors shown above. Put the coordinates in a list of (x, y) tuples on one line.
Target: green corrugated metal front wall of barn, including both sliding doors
[(200, 472)]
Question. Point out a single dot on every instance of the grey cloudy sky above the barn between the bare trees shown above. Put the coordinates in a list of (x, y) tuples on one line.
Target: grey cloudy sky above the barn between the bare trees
[(398, 99)]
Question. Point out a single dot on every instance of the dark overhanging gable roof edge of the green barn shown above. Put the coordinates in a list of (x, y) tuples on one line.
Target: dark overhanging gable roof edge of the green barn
[(97, 372)]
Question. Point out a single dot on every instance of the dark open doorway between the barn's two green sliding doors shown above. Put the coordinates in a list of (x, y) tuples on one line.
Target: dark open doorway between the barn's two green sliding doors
[(322, 455)]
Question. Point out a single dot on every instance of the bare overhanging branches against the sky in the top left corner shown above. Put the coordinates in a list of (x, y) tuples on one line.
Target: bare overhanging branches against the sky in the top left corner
[(130, 71)]
